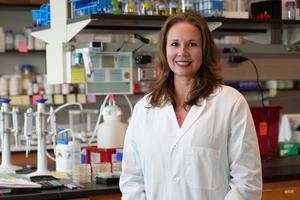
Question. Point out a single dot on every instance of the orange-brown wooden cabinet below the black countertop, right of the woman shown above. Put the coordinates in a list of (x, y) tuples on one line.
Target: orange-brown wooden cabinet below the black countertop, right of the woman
[(285, 190)]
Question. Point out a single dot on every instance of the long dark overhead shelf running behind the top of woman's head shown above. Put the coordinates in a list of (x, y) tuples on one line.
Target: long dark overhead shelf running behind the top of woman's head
[(154, 23)]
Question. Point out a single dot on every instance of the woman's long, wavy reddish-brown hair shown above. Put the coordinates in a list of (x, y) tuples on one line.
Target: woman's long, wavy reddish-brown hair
[(208, 76)]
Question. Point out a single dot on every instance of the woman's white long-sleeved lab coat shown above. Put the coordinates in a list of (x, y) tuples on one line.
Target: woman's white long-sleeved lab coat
[(214, 155)]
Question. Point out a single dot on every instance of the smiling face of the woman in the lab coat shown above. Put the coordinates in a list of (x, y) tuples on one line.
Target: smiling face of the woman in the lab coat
[(184, 50)]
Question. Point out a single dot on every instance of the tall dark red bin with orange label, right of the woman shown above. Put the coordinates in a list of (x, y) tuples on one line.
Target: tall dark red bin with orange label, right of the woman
[(266, 120)]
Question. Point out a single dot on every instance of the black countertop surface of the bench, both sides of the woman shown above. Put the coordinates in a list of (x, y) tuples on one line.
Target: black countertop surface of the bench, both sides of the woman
[(274, 169)]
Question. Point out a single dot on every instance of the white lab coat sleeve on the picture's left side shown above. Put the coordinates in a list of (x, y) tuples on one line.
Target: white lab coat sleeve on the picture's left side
[(132, 180)]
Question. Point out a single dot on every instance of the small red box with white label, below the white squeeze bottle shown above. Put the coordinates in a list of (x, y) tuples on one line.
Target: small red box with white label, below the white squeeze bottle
[(98, 155)]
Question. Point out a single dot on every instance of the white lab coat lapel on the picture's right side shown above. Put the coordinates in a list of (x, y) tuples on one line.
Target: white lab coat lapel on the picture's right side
[(190, 119)]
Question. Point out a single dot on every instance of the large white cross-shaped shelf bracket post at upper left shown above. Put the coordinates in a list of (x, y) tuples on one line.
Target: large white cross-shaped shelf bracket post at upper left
[(59, 33)]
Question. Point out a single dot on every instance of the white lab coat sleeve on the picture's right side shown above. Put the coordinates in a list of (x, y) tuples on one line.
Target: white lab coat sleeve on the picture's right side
[(244, 157)]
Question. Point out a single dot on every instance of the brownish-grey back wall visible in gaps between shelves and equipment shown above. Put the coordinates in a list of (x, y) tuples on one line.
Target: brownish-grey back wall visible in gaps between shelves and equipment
[(270, 67)]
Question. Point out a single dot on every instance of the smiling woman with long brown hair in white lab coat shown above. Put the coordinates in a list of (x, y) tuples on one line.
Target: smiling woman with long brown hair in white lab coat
[(190, 137)]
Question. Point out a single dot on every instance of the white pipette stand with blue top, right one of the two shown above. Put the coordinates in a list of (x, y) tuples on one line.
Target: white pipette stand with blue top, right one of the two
[(40, 131)]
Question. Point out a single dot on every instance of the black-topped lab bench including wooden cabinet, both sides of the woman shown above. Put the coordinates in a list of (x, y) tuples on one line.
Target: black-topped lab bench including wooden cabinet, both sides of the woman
[(281, 177)]
